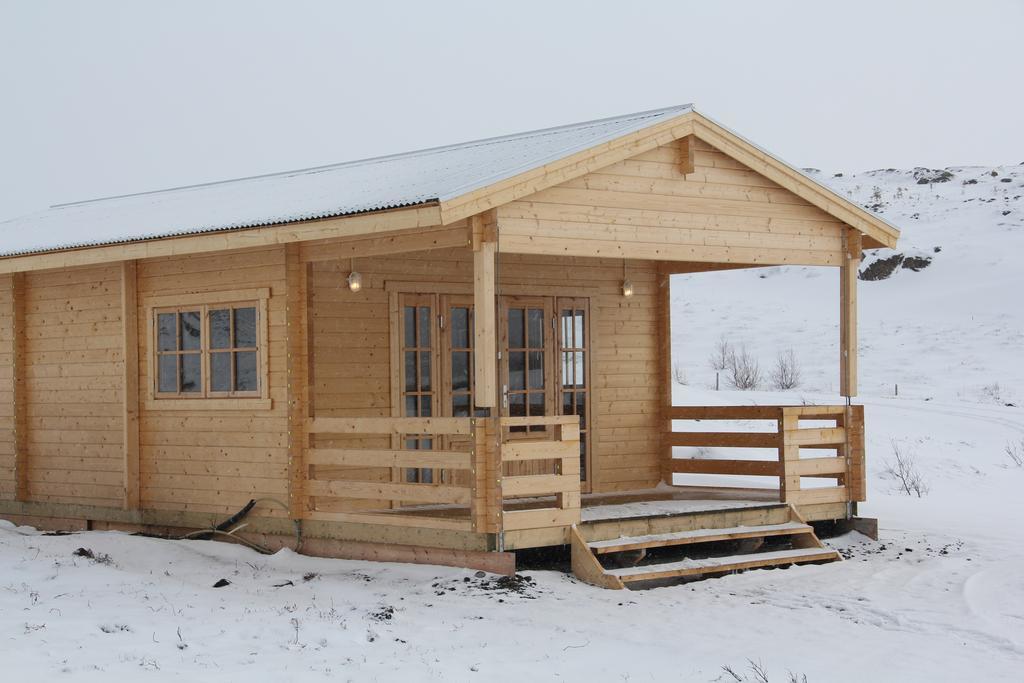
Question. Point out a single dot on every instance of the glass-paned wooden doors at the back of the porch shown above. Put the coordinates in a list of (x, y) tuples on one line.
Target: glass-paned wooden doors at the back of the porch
[(544, 368)]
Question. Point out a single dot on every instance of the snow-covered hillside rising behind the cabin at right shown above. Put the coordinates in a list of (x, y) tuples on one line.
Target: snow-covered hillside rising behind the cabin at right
[(953, 330)]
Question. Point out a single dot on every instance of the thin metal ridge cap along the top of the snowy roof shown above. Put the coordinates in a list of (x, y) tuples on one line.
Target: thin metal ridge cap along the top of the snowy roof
[(407, 155)]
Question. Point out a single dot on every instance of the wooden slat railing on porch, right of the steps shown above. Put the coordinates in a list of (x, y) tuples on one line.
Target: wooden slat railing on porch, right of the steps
[(845, 436)]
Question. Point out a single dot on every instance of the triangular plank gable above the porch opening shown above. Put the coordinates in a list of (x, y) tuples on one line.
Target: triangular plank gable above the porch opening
[(721, 212)]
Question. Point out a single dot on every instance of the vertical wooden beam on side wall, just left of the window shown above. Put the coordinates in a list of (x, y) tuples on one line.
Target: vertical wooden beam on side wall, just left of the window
[(130, 326)]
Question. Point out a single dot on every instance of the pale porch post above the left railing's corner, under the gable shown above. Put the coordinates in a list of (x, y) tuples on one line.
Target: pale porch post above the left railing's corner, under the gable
[(484, 233)]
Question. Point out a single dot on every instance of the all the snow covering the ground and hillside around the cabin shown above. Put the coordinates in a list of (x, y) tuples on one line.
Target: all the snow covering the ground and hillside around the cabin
[(941, 597)]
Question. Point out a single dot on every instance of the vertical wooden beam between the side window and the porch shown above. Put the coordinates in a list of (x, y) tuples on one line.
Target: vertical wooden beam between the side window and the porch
[(298, 376)]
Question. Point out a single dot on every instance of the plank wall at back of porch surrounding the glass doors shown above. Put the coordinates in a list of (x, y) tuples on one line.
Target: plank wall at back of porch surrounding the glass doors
[(352, 346)]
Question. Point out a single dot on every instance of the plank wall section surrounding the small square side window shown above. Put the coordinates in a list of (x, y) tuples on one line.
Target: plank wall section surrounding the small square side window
[(216, 460)]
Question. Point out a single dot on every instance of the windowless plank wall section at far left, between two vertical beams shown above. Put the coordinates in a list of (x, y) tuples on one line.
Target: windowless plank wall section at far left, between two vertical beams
[(74, 376)]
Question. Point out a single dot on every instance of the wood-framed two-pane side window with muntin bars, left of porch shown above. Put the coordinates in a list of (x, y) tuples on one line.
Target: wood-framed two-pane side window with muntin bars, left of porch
[(210, 350)]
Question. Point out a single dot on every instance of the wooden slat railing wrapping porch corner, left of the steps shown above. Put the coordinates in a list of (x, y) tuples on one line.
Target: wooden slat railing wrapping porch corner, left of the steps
[(471, 497)]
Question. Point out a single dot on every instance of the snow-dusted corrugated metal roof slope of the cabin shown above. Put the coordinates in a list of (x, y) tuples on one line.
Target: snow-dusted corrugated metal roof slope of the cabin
[(371, 185)]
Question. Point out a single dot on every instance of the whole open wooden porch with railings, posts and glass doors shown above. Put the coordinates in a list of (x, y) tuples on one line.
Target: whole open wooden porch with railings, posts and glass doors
[(502, 477)]
